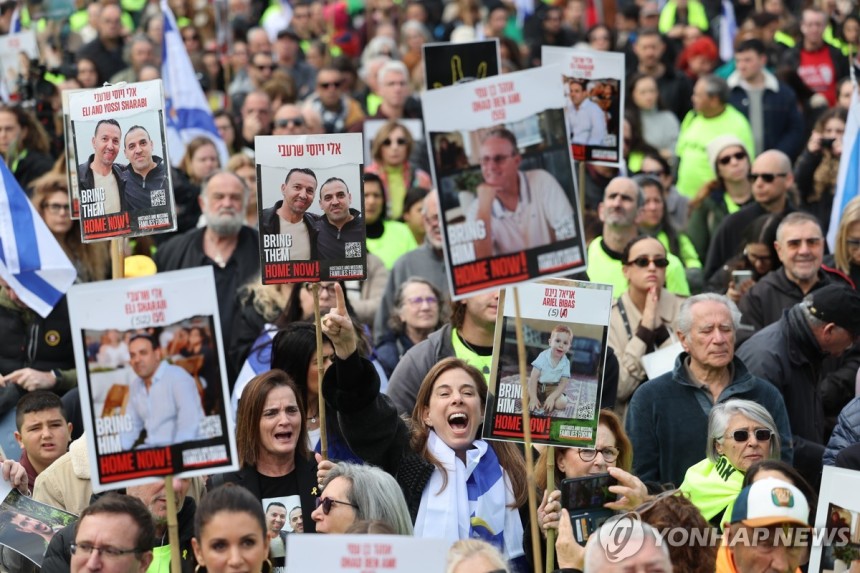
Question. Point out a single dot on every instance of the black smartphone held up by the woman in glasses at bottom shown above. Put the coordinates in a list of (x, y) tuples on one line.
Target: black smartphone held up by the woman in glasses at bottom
[(584, 499)]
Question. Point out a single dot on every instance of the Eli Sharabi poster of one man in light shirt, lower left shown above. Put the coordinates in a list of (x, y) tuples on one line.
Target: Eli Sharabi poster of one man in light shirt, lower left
[(152, 377)]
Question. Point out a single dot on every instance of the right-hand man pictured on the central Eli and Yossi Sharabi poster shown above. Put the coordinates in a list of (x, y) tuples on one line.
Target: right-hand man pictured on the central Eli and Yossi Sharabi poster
[(341, 230)]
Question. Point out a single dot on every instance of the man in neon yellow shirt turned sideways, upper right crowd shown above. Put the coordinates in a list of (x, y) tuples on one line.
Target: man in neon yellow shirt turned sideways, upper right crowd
[(712, 116)]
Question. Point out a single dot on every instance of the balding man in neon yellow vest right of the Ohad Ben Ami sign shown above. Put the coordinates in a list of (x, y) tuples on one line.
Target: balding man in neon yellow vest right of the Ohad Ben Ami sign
[(619, 213)]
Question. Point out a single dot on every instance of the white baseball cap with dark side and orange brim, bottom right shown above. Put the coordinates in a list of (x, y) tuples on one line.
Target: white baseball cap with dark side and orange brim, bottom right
[(770, 501)]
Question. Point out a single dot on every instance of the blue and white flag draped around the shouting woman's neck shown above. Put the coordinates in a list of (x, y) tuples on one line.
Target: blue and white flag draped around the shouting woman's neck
[(475, 502)]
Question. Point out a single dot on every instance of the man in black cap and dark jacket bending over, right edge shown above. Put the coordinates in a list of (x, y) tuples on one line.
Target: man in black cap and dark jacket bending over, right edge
[(790, 354)]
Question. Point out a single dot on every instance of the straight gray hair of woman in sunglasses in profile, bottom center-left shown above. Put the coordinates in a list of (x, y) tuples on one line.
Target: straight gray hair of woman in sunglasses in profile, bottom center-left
[(376, 494)]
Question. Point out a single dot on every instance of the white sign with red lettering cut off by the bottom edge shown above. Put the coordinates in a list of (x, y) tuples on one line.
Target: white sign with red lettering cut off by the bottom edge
[(366, 553)]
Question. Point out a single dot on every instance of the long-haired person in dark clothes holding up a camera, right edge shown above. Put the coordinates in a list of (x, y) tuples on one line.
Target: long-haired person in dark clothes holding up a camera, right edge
[(817, 167)]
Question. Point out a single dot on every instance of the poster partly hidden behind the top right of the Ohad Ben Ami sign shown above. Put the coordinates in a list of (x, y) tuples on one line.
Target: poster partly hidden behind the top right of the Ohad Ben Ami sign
[(593, 88)]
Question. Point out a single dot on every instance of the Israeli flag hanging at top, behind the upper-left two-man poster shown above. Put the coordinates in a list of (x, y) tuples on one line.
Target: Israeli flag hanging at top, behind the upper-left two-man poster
[(187, 112)]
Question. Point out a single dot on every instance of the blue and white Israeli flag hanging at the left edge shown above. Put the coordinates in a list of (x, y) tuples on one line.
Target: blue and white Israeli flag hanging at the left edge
[(31, 260)]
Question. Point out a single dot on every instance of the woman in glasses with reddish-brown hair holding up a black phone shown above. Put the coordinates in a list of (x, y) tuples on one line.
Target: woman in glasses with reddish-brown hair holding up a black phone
[(612, 454)]
